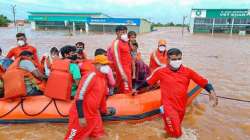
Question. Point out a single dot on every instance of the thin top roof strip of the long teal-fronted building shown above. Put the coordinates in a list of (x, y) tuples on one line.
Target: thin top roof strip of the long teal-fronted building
[(67, 13)]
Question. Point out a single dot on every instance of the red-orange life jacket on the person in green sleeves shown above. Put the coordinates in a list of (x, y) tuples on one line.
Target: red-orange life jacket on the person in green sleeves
[(60, 81)]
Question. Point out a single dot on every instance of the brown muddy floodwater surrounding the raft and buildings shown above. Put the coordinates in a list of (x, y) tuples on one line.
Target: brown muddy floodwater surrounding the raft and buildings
[(223, 59)]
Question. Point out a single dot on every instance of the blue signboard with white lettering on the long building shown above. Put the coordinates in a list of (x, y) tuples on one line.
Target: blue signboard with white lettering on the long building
[(115, 21)]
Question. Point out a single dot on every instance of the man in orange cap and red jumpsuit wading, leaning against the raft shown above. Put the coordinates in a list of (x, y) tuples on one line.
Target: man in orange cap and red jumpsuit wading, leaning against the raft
[(90, 102)]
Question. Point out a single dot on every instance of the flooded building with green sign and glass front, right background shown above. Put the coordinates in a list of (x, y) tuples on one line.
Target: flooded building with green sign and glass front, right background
[(220, 21)]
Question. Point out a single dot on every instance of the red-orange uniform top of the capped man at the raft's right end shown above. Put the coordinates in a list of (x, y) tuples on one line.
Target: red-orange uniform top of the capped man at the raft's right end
[(157, 59)]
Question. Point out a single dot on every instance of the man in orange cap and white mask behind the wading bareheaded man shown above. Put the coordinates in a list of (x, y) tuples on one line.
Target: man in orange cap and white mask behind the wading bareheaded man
[(159, 57)]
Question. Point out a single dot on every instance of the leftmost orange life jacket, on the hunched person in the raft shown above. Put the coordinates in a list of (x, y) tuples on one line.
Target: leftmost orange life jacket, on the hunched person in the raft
[(14, 79)]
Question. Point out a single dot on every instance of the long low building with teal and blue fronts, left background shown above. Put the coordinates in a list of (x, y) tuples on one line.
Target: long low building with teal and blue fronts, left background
[(88, 22)]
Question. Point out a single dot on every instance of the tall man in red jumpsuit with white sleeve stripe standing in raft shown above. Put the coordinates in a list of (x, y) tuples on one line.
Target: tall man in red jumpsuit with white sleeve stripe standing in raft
[(122, 59)]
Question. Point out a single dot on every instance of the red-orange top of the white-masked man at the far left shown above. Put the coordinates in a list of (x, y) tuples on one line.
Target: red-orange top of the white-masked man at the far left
[(15, 52)]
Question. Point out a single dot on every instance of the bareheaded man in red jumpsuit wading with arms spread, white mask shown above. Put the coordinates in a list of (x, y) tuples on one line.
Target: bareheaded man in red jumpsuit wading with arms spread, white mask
[(174, 80)]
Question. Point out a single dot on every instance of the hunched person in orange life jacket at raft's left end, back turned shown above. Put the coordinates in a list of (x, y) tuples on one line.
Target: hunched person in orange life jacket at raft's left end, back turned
[(24, 69)]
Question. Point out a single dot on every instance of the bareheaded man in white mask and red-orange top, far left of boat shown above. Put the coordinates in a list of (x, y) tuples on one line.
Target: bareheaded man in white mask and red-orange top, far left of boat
[(22, 46)]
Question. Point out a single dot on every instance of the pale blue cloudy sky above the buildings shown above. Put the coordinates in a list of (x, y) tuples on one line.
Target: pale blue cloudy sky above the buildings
[(154, 10)]
